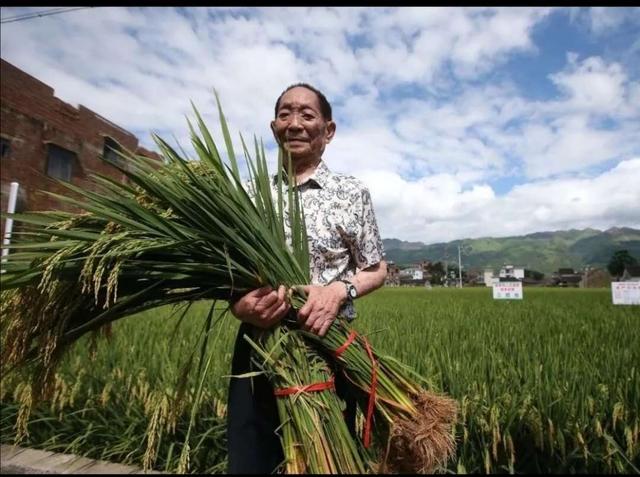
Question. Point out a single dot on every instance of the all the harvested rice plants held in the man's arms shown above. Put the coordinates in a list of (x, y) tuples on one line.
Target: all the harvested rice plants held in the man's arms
[(187, 231)]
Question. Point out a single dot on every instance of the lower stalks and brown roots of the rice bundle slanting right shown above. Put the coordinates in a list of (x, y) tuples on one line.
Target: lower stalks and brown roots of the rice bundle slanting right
[(414, 425)]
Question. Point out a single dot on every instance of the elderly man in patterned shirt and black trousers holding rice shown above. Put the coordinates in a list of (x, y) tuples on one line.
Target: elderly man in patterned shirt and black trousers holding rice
[(347, 262)]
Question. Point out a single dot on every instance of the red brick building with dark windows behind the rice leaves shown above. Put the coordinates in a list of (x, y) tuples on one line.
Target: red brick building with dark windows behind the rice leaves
[(44, 138)]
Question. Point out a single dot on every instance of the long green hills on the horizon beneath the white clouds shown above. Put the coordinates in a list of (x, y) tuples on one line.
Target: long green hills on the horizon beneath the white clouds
[(542, 251)]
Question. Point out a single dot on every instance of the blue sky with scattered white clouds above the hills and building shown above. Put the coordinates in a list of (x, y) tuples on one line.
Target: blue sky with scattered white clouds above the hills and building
[(463, 122)]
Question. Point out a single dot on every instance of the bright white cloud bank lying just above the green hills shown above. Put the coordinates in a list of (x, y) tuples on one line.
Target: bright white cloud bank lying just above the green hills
[(439, 209)]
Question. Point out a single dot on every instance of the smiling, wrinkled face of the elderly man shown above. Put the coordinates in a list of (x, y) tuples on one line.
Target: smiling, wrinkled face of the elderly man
[(299, 125)]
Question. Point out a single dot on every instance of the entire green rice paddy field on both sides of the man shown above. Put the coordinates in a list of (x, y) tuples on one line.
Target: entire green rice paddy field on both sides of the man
[(549, 384)]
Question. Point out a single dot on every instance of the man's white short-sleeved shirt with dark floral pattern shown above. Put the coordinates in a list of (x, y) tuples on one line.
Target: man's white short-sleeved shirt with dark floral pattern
[(341, 227)]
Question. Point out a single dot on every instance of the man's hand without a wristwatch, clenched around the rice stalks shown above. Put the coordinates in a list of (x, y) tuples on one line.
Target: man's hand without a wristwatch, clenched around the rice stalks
[(263, 307)]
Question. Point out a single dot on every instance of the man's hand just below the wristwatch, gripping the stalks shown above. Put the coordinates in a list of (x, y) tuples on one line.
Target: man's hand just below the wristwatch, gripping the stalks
[(322, 306)]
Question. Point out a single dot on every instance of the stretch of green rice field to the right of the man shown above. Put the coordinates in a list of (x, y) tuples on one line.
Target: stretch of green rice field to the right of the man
[(537, 375)]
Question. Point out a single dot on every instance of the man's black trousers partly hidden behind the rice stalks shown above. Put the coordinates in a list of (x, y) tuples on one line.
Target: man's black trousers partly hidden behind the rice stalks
[(252, 415)]
